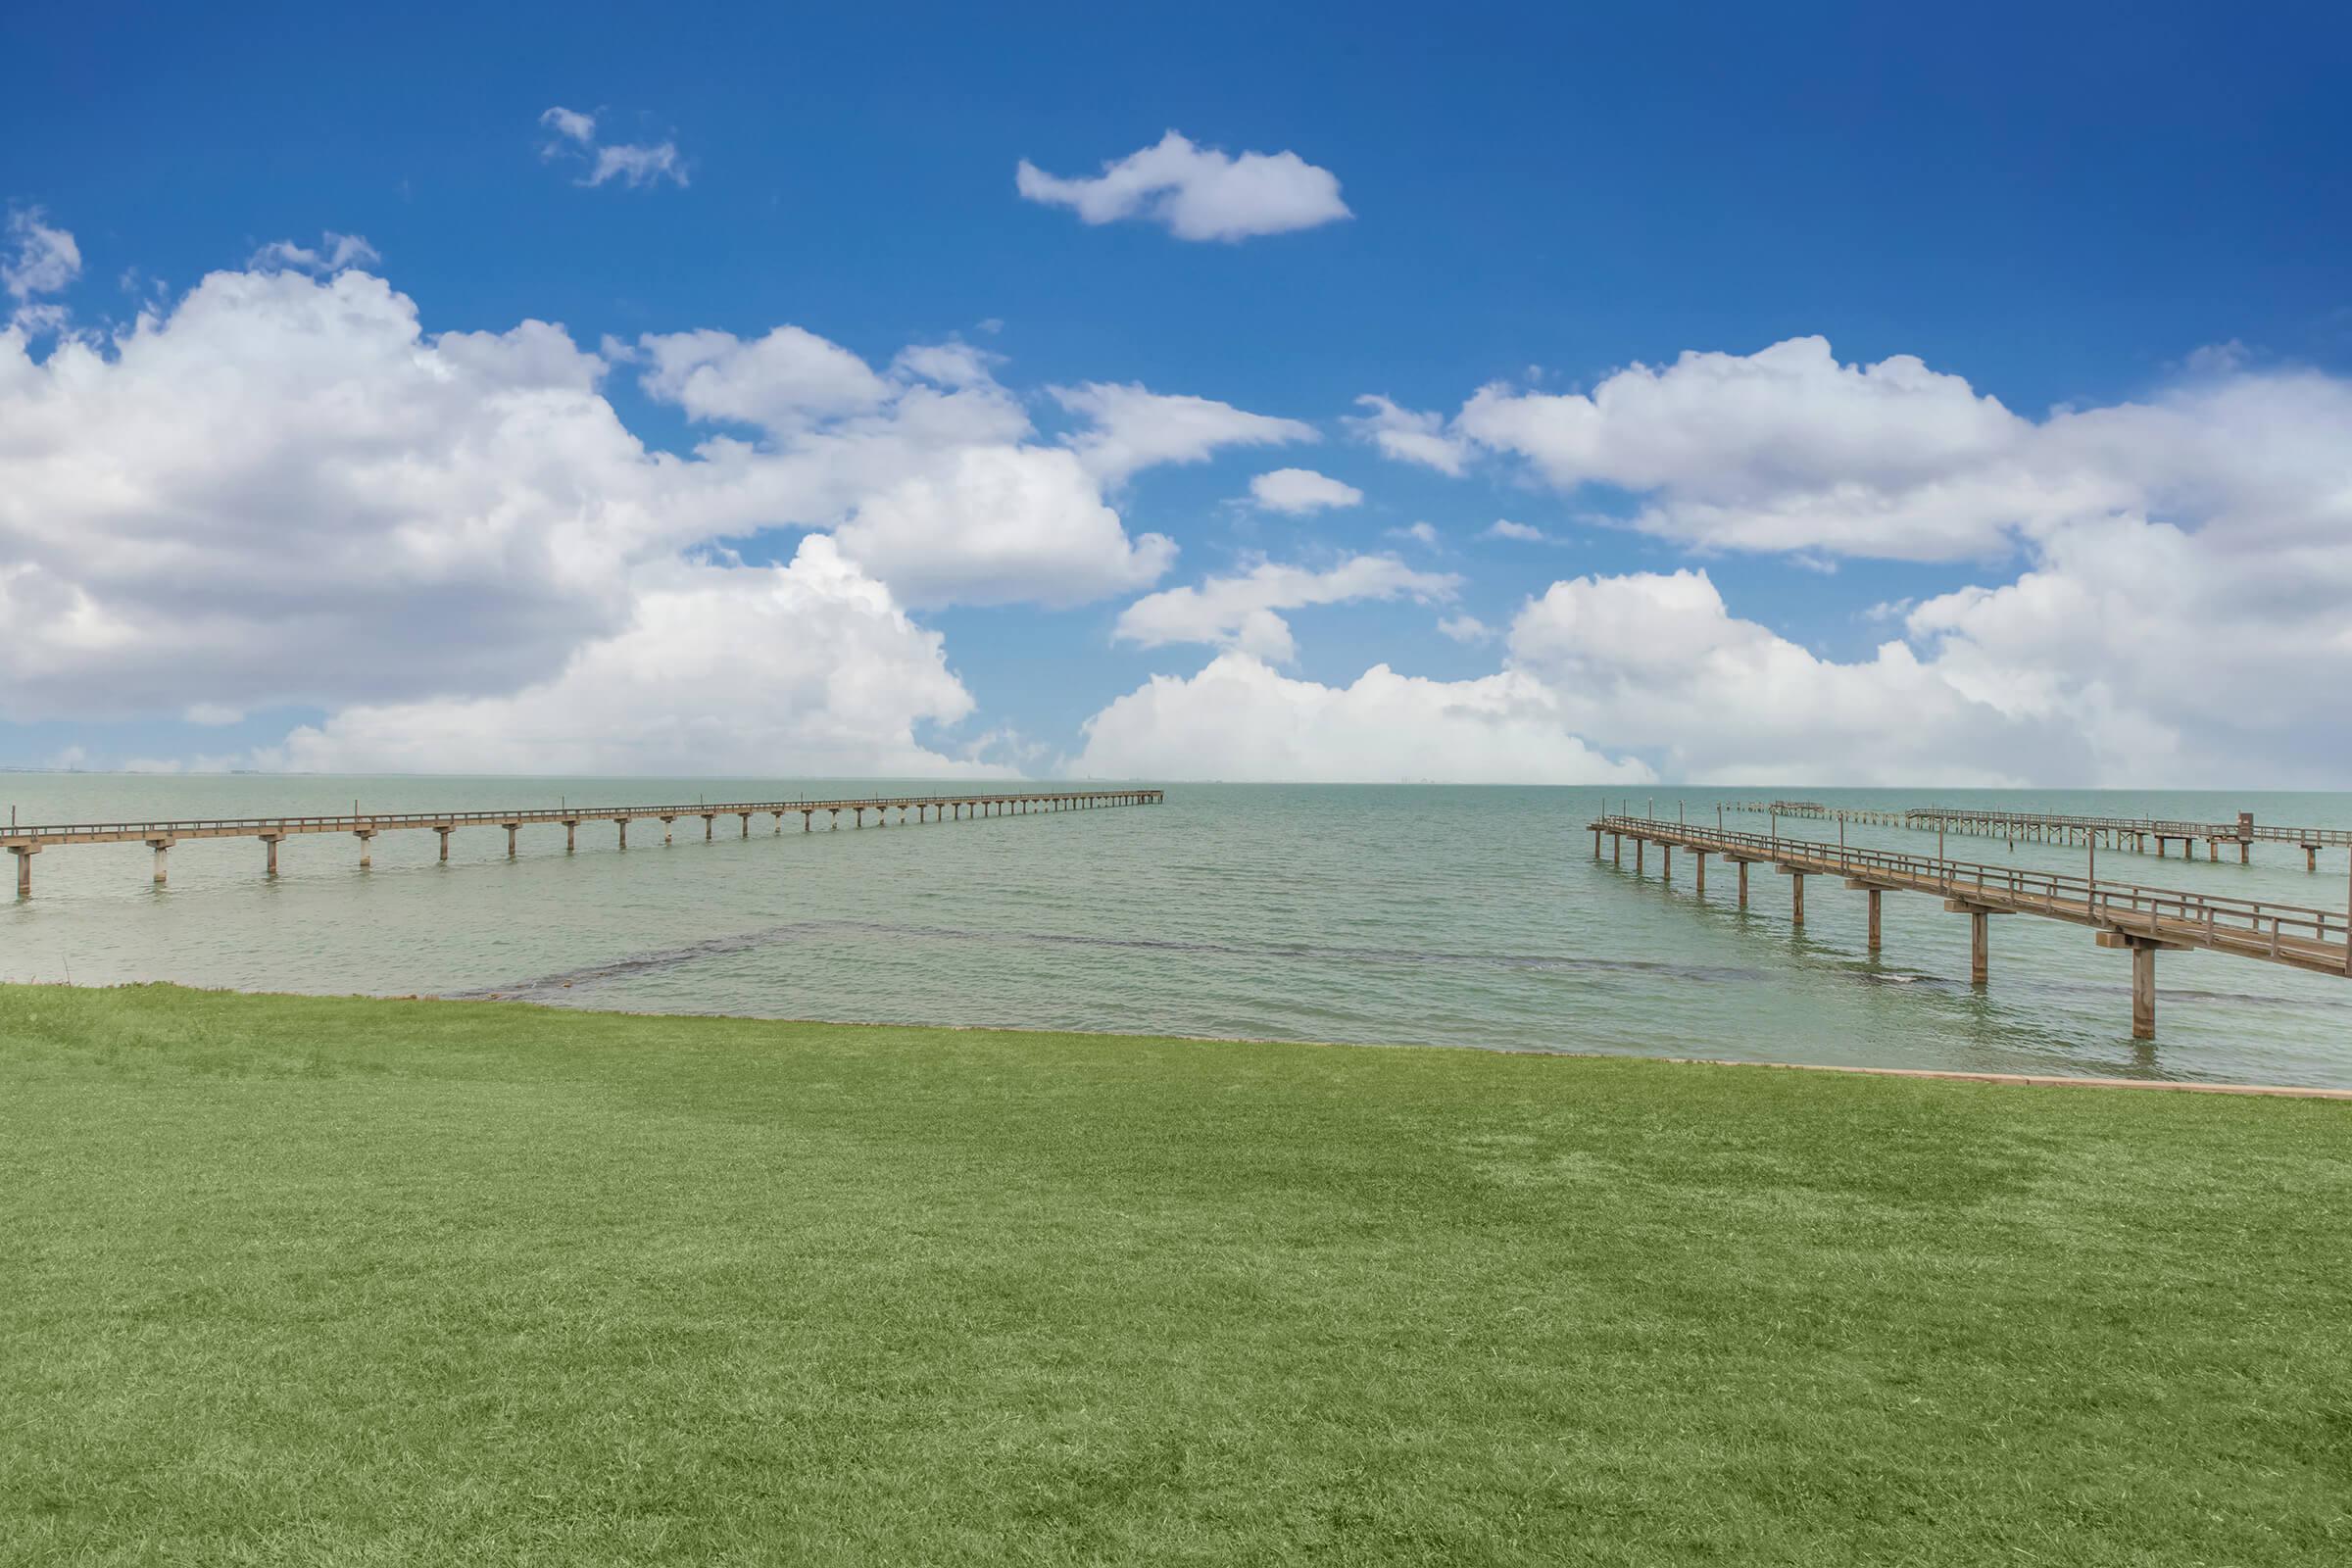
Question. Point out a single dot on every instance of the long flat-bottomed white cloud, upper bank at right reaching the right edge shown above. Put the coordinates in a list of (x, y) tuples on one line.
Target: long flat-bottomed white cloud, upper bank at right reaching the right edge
[(1791, 450)]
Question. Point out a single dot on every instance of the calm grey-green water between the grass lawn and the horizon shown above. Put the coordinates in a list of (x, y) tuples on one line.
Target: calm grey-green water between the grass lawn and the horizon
[(1455, 916)]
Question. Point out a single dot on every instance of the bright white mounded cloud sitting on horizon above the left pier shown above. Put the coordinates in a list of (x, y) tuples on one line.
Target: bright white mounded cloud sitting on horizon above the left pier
[(806, 669)]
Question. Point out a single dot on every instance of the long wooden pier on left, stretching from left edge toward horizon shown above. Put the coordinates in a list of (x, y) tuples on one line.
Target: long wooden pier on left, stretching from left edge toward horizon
[(27, 843)]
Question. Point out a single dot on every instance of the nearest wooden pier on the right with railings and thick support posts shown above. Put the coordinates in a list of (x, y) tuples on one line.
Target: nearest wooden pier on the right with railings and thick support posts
[(2120, 913)]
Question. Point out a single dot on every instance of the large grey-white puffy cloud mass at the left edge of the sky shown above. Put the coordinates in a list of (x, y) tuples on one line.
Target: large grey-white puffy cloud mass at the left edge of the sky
[(283, 492)]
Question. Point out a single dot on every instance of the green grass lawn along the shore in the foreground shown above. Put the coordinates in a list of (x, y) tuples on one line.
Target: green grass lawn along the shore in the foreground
[(410, 1282)]
